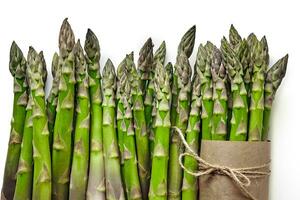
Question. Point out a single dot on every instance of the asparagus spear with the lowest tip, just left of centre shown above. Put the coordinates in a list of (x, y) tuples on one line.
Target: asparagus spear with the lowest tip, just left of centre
[(131, 176)]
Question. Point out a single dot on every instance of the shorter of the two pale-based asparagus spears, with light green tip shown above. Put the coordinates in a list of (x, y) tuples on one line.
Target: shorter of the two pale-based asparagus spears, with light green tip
[(114, 188)]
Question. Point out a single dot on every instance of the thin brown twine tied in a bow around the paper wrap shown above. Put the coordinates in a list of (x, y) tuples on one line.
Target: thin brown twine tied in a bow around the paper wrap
[(240, 176)]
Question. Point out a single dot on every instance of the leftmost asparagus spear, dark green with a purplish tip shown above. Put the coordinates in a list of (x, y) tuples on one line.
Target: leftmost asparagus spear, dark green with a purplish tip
[(17, 67)]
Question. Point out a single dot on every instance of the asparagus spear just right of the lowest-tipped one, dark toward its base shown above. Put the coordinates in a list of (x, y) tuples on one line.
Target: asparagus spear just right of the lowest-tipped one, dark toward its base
[(142, 139)]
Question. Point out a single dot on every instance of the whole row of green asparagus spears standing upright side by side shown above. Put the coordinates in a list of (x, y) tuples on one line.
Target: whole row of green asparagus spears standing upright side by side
[(85, 141)]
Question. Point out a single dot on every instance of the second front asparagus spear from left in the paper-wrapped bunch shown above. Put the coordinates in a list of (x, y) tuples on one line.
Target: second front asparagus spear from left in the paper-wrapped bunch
[(220, 107)]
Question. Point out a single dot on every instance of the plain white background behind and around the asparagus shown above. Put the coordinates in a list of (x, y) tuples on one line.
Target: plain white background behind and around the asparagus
[(123, 26)]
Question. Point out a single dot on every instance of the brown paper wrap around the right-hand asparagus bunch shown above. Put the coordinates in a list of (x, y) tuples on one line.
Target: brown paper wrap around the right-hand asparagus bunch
[(234, 155)]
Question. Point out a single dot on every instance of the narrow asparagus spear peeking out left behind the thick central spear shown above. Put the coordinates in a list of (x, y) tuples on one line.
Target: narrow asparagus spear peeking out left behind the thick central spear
[(159, 56)]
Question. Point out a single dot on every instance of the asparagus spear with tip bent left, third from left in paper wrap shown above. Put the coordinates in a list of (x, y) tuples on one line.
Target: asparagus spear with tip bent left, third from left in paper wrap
[(239, 120)]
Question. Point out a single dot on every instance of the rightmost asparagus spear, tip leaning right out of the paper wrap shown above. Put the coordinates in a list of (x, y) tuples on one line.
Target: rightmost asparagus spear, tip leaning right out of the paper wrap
[(273, 80)]
